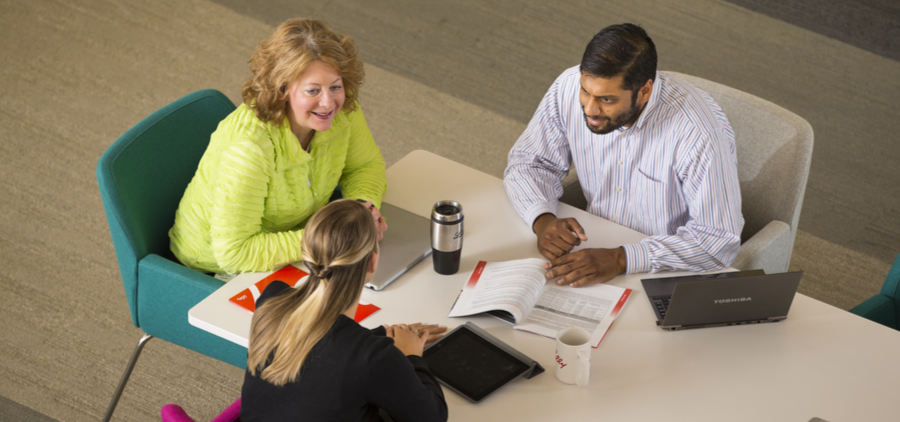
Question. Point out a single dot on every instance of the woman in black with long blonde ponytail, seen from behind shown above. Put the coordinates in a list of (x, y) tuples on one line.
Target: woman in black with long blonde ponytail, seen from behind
[(308, 359)]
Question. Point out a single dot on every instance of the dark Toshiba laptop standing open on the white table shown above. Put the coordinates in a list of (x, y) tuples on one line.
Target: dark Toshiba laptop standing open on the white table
[(712, 300)]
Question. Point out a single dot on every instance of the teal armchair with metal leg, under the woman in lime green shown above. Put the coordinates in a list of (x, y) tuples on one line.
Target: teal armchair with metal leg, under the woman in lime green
[(142, 177)]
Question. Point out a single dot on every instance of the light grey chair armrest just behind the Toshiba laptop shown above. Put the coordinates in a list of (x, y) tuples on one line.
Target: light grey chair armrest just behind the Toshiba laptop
[(769, 249)]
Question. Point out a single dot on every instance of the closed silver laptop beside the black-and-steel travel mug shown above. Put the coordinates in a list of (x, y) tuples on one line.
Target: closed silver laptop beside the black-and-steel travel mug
[(406, 242)]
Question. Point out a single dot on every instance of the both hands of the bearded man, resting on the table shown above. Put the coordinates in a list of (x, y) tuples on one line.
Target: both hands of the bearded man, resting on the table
[(556, 237)]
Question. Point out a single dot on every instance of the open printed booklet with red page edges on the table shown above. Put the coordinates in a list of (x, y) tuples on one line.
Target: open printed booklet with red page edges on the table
[(517, 291)]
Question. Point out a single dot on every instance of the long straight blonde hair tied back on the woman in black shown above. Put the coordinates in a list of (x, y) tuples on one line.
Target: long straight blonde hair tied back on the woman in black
[(338, 244)]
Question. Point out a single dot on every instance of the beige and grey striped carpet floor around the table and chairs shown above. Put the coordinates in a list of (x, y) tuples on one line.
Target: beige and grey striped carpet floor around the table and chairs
[(459, 78)]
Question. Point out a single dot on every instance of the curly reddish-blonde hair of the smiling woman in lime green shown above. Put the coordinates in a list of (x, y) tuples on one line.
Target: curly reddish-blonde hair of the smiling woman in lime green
[(286, 54)]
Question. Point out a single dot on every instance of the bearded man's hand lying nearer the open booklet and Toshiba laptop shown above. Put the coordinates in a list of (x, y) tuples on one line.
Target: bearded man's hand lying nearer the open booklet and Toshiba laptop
[(587, 266)]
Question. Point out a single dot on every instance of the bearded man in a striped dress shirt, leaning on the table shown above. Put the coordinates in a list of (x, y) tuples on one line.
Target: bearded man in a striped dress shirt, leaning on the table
[(653, 153)]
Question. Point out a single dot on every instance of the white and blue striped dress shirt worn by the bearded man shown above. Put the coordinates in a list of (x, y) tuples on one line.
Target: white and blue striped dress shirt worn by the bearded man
[(672, 175)]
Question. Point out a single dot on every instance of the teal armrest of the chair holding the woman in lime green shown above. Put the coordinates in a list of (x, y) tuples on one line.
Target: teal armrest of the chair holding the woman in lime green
[(166, 292)]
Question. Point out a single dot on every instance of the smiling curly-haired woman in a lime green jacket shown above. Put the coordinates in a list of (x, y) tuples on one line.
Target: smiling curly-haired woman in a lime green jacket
[(274, 161)]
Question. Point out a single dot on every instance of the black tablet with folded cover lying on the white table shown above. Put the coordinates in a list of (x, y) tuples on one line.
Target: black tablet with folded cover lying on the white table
[(474, 364)]
